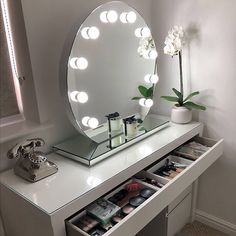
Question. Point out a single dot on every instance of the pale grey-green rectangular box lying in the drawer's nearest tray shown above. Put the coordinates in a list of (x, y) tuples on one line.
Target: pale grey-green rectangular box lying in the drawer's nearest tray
[(103, 210)]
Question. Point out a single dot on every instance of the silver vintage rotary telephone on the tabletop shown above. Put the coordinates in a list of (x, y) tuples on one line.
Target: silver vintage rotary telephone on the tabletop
[(31, 165)]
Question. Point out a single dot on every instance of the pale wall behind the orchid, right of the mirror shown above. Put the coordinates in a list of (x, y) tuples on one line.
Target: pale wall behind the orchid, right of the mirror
[(209, 65)]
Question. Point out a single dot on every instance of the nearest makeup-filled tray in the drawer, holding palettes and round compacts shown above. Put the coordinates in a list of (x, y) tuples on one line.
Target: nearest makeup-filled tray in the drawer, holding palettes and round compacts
[(86, 222)]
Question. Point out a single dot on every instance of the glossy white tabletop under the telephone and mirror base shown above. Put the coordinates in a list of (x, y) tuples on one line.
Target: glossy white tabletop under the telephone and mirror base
[(74, 179)]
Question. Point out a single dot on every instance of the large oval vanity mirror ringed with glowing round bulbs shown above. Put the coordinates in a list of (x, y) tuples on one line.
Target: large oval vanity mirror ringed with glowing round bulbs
[(112, 54)]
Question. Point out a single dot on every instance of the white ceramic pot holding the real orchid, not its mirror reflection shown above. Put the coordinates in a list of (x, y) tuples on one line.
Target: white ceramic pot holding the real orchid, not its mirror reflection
[(181, 115)]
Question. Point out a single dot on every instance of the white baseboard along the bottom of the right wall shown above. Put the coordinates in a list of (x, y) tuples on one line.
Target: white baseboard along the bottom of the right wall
[(215, 222)]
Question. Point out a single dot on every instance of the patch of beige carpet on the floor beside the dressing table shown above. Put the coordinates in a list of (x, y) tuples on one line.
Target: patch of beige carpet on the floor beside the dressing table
[(198, 229)]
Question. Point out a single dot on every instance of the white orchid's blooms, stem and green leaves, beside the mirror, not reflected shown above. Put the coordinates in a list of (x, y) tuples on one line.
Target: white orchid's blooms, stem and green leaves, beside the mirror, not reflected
[(173, 47)]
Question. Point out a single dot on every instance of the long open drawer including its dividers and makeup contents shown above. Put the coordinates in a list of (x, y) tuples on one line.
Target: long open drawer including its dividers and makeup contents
[(164, 187)]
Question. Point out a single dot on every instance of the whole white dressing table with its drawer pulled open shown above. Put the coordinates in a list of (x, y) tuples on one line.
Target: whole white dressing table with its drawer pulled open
[(51, 206)]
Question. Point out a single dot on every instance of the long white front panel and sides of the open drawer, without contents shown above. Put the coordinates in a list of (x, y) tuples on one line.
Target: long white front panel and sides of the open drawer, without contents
[(142, 215)]
